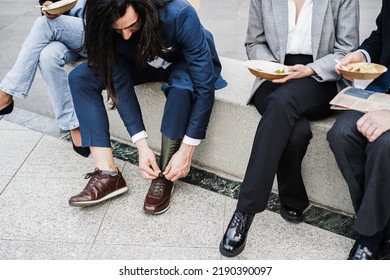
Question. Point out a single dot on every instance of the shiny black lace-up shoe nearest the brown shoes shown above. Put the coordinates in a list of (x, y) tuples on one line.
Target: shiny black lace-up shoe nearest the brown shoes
[(234, 239)]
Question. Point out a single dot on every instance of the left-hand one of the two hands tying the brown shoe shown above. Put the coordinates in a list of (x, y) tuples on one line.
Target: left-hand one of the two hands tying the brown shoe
[(147, 160)]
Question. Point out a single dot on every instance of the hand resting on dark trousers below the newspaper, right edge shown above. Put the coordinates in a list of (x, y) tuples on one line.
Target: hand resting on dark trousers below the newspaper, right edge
[(373, 124)]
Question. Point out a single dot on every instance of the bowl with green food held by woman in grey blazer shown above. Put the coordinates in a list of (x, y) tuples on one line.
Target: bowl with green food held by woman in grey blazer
[(267, 69)]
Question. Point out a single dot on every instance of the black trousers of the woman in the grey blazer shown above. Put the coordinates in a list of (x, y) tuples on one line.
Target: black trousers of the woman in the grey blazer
[(282, 138)]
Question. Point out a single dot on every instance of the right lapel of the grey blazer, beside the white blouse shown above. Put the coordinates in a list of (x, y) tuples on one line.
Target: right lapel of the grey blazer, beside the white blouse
[(319, 10)]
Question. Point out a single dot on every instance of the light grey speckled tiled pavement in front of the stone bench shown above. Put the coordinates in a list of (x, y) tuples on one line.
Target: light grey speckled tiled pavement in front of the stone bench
[(40, 172)]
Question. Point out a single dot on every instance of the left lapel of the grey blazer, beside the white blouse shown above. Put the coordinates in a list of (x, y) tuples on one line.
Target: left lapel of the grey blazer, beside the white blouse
[(281, 24)]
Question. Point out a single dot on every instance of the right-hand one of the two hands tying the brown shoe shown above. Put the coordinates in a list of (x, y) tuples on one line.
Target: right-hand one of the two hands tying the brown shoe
[(180, 163)]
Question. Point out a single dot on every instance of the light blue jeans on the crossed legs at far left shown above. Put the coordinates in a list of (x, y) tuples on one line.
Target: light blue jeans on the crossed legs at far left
[(50, 44)]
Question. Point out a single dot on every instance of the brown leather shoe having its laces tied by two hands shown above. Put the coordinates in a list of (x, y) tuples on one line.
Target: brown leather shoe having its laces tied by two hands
[(158, 198)]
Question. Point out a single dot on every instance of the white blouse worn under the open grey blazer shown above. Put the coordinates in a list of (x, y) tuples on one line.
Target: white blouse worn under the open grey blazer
[(299, 34)]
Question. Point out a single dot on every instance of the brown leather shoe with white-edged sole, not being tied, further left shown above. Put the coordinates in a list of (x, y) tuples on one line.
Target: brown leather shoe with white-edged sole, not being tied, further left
[(101, 186)]
